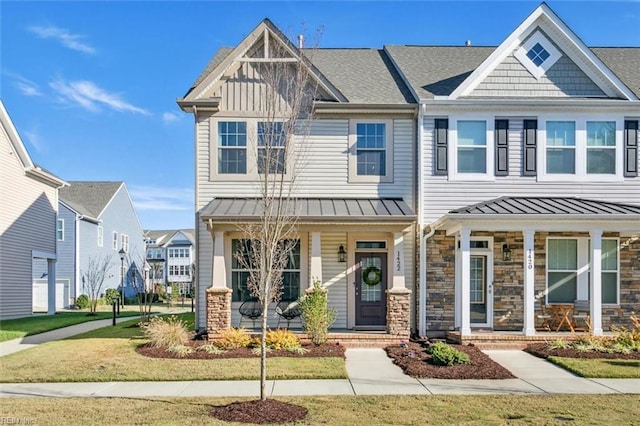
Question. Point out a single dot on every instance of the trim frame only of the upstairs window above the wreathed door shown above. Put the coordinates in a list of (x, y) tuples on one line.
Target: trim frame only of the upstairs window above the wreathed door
[(353, 152)]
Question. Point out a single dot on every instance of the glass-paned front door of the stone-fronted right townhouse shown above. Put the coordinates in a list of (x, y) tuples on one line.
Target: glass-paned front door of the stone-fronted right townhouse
[(480, 289)]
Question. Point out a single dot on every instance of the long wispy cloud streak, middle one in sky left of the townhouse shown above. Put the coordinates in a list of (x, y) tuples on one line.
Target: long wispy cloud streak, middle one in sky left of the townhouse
[(89, 96)]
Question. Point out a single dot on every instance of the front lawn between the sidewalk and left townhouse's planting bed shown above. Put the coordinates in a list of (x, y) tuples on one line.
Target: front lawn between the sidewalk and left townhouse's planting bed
[(108, 354)]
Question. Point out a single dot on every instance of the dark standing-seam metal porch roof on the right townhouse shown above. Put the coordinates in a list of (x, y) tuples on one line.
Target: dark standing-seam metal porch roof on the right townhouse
[(543, 213)]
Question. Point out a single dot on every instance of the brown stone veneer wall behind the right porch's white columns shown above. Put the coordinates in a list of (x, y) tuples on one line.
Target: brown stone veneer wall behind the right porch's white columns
[(508, 288)]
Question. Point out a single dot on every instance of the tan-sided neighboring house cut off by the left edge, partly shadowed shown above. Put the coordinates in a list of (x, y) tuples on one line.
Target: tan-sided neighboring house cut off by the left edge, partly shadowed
[(28, 209)]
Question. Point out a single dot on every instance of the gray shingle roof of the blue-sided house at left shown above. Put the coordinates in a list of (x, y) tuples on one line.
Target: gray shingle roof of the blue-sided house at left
[(89, 198)]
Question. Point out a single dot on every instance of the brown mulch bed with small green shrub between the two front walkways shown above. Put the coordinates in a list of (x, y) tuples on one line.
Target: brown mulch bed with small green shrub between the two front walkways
[(415, 361)]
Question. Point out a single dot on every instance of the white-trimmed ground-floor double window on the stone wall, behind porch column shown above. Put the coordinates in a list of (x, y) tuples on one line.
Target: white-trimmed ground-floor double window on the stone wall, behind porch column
[(568, 270)]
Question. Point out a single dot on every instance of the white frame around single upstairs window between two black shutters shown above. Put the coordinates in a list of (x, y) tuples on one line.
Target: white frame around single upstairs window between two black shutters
[(454, 175)]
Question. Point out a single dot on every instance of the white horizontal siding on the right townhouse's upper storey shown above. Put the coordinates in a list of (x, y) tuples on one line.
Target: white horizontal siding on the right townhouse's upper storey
[(442, 195)]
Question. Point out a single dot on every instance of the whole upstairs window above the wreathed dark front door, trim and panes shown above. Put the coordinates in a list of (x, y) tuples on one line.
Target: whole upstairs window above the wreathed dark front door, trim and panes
[(371, 158)]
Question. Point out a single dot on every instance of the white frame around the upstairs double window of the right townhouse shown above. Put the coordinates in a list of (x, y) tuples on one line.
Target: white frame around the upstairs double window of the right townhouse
[(580, 149)]
